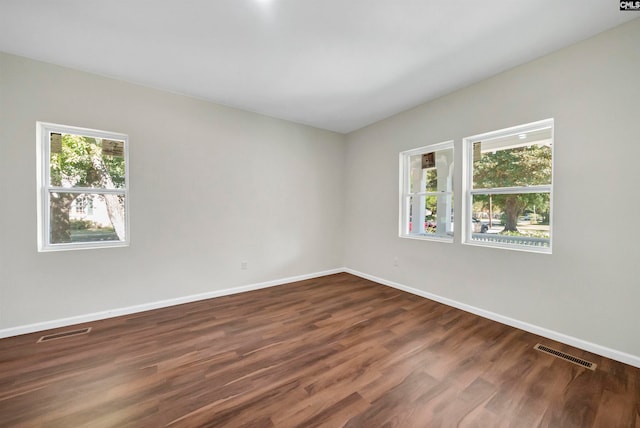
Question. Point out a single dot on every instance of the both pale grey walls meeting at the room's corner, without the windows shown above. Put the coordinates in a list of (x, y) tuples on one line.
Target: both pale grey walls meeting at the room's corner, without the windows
[(212, 186)]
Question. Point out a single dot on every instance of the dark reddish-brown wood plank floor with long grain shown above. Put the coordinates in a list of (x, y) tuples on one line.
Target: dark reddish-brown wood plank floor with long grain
[(332, 352)]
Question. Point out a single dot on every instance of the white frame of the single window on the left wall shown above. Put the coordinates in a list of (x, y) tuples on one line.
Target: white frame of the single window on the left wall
[(43, 136)]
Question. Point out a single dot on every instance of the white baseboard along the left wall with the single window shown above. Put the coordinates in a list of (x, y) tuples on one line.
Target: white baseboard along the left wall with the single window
[(63, 322)]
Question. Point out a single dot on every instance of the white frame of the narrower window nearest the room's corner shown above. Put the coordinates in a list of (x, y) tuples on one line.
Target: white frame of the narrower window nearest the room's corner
[(405, 194)]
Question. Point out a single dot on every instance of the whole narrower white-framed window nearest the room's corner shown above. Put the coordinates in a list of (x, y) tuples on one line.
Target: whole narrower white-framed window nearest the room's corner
[(426, 196)]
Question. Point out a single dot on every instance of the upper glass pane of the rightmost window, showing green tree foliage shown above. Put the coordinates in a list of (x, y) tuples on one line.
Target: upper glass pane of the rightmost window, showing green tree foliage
[(514, 160)]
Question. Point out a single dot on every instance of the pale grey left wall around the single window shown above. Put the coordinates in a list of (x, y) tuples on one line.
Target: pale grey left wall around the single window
[(210, 186)]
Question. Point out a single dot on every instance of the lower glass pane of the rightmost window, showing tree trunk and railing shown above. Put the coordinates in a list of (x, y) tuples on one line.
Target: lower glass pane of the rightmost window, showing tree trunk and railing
[(520, 219)]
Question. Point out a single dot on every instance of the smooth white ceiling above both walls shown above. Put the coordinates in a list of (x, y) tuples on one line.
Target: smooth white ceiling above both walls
[(334, 64)]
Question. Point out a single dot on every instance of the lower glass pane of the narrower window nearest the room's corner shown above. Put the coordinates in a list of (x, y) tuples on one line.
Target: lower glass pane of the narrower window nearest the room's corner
[(428, 208)]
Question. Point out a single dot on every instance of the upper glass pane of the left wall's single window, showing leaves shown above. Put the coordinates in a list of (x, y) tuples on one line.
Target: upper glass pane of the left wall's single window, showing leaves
[(81, 161)]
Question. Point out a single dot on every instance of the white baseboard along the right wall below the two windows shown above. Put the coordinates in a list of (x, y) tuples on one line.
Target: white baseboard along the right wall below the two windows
[(623, 357)]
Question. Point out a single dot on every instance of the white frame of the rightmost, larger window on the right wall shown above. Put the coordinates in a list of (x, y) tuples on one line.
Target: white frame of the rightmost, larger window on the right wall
[(468, 191)]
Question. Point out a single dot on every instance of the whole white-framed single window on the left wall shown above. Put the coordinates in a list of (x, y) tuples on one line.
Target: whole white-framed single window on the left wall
[(82, 183)]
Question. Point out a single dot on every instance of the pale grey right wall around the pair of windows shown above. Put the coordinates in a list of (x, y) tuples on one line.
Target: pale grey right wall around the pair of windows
[(589, 288)]
